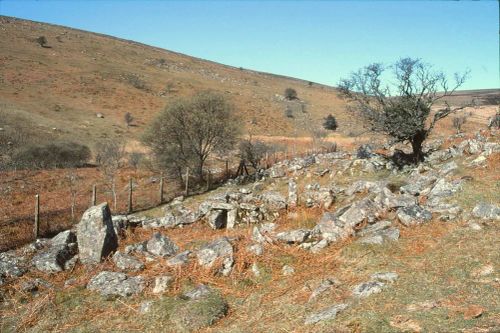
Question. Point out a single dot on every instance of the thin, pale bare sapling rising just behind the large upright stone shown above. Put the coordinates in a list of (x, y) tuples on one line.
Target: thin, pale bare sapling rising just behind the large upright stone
[(109, 158)]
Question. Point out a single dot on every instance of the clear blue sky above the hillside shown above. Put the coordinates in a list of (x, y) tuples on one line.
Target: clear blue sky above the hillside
[(320, 41)]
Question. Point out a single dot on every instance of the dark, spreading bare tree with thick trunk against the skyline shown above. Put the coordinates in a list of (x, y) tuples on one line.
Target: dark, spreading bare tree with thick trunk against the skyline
[(400, 105)]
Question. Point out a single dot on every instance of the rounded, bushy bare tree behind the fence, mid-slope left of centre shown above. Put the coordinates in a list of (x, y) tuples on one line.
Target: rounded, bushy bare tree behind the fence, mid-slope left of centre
[(189, 131)]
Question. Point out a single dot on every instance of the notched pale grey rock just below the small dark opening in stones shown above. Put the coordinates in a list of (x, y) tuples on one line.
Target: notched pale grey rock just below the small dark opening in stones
[(219, 249)]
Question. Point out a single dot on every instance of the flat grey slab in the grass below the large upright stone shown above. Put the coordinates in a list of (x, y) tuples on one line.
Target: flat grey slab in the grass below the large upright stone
[(116, 284)]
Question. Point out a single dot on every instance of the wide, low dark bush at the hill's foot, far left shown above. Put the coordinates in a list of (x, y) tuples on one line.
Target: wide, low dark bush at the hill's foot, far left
[(52, 155)]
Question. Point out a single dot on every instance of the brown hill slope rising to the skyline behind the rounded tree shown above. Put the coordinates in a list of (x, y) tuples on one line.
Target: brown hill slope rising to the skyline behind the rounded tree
[(61, 88)]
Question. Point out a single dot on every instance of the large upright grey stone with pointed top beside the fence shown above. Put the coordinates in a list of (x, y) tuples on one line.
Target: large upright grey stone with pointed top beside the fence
[(96, 236)]
